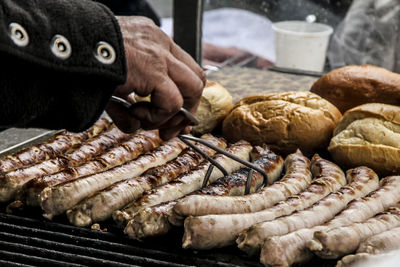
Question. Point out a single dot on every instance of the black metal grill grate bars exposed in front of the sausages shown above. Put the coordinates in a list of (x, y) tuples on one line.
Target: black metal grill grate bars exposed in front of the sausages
[(35, 242)]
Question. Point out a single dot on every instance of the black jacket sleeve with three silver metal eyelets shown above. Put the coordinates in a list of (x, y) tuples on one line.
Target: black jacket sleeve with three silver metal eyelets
[(60, 62)]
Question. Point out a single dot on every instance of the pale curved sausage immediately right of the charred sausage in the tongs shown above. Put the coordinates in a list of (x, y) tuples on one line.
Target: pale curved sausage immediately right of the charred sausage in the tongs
[(296, 179)]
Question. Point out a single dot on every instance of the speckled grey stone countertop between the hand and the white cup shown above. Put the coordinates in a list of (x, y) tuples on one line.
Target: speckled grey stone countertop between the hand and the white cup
[(243, 82)]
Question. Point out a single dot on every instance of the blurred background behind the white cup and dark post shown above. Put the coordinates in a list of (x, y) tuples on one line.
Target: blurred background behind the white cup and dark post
[(364, 31)]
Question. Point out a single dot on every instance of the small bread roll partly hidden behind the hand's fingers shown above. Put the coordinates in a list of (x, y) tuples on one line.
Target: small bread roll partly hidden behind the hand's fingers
[(215, 104)]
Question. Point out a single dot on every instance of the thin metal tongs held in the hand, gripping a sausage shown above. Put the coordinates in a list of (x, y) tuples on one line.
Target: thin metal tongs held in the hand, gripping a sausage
[(187, 138)]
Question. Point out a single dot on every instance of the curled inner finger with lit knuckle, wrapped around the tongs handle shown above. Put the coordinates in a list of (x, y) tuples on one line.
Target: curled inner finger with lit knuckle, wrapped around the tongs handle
[(166, 100)]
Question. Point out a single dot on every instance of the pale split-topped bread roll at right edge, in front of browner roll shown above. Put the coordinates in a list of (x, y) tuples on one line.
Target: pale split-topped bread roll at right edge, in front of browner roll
[(368, 135)]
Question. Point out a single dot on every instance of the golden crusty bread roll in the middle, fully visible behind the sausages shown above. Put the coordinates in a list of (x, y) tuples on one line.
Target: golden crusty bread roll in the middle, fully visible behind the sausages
[(284, 121)]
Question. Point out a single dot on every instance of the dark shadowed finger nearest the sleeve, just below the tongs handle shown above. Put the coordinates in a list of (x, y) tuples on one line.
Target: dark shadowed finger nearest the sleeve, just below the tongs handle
[(122, 117)]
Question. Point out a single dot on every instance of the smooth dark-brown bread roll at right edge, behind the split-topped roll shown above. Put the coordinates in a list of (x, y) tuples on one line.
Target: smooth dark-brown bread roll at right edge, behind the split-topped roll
[(352, 86)]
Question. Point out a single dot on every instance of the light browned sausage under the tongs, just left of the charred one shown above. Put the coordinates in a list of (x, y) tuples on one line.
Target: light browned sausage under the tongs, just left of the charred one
[(185, 184)]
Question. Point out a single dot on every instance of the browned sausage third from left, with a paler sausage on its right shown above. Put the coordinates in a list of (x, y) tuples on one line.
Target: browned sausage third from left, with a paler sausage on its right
[(138, 144)]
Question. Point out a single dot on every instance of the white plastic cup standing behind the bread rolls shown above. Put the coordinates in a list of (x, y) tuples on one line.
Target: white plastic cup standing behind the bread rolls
[(301, 45)]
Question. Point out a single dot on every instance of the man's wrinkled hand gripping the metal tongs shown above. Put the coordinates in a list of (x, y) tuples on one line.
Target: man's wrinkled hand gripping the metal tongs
[(160, 68)]
